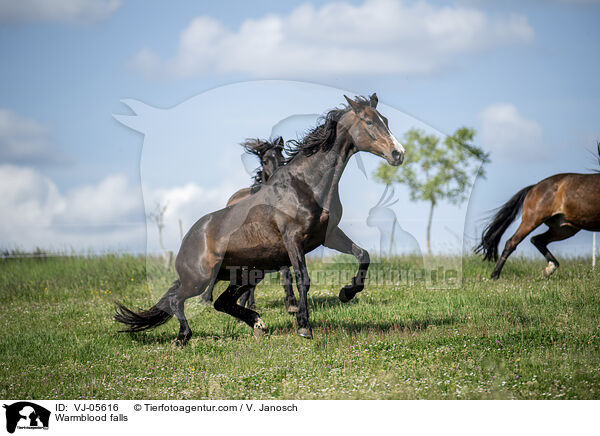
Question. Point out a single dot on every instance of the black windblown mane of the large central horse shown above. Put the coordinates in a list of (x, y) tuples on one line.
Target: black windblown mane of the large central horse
[(321, 137)]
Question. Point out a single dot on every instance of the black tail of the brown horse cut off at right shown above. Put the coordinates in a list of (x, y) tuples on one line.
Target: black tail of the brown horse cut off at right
[(490, 238)]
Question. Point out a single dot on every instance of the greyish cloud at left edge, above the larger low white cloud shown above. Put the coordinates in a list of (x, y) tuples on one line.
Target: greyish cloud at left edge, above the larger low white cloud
[(25, 141)]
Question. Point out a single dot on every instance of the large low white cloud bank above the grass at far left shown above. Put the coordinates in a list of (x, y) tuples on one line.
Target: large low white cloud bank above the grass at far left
[(36, 214)]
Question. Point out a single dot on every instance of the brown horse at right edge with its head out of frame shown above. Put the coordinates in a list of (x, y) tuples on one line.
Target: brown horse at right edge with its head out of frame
[(566, 203)]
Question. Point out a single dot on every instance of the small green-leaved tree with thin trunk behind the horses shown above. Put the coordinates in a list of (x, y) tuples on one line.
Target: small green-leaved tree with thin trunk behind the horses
[(436, 170)]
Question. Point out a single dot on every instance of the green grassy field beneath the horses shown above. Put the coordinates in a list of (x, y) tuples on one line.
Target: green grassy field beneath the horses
[(521, 337)]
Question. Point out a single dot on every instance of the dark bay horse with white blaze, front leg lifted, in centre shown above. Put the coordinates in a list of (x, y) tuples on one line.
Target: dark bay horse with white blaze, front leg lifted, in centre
[(295, 211)]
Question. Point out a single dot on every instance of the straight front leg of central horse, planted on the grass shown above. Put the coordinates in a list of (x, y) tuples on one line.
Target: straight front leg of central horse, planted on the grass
[(298, 261)]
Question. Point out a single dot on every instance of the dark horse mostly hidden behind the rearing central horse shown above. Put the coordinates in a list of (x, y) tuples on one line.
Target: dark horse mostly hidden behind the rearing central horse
[(270, 156)]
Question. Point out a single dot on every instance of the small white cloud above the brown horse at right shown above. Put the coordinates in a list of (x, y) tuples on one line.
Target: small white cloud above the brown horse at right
[(506, 132)]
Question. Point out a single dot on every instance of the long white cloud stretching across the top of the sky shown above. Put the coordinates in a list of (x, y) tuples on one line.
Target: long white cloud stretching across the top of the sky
[(376, 37)]
